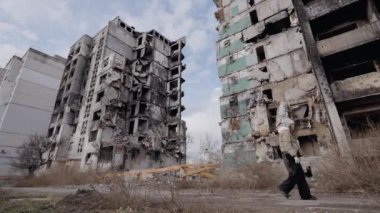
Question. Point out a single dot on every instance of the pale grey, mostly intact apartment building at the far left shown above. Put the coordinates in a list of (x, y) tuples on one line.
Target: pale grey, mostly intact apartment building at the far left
[(27, 93)]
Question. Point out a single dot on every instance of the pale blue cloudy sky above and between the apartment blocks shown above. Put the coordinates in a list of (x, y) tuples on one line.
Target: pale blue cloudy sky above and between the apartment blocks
[(52, 26)]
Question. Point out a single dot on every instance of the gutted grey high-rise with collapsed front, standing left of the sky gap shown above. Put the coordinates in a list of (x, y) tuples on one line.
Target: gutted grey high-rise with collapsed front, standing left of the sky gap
[(119, 103)]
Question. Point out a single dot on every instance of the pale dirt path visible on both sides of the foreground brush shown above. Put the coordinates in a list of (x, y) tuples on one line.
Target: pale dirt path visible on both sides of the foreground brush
[(243, 200)]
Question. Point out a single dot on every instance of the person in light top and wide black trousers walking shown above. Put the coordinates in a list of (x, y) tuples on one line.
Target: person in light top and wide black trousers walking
[(290, 155)]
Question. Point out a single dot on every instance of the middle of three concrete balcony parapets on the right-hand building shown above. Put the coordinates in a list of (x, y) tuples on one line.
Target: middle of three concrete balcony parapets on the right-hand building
[(348, 40)]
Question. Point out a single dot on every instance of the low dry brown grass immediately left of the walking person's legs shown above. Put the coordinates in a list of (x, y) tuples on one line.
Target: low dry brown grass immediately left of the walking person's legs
[(263, 175)]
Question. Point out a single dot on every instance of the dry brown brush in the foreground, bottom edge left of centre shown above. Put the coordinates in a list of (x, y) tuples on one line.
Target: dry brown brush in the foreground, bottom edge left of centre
[(124, 196)]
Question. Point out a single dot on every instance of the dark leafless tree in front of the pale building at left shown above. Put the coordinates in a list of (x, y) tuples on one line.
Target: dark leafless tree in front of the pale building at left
[(30, 154)]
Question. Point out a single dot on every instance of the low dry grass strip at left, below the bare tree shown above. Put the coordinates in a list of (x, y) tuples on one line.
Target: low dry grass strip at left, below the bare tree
[(58, 178)]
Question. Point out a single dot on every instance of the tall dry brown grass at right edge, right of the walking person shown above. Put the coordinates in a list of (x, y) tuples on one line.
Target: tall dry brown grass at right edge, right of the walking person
[(360, 171)]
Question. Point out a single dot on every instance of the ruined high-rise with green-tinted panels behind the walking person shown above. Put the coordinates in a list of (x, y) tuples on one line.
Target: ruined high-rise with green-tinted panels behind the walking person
[(318, 57)]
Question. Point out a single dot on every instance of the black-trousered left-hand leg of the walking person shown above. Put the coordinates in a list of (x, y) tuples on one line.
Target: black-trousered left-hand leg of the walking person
[(291, 181)]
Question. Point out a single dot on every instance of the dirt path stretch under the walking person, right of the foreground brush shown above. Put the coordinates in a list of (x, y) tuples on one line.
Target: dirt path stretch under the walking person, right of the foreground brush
[(261, 201)]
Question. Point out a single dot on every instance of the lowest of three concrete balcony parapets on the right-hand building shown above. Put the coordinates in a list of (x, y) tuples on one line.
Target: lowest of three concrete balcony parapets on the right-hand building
[(356, 87)]
